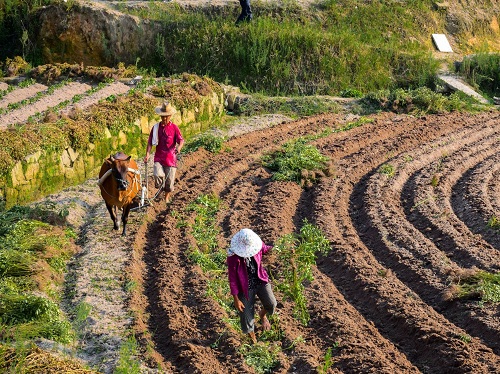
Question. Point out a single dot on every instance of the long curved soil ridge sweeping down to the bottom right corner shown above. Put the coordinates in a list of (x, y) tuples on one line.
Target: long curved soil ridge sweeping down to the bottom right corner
[(395, 309)]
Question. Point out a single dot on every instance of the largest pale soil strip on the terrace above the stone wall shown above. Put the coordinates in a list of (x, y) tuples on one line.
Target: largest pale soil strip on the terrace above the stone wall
[(61, 94)]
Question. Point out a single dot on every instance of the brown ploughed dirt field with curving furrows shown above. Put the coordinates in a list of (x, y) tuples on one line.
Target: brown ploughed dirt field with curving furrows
[(378, 296)]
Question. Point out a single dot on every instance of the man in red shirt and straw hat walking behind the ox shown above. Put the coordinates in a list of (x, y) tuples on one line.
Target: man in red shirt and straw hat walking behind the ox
[(168, 140)]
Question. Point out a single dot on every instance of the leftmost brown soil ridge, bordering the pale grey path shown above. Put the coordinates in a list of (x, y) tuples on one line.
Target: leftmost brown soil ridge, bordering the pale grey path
[(173, 321)]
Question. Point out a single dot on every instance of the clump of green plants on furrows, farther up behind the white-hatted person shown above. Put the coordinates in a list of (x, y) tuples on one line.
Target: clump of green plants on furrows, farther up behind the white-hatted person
[(295, 156)]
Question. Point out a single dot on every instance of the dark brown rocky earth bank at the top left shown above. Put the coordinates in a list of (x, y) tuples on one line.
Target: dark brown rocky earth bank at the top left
[(94, 35)]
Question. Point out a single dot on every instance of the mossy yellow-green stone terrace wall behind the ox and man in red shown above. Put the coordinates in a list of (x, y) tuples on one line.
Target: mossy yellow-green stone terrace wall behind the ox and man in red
[(43, 173)]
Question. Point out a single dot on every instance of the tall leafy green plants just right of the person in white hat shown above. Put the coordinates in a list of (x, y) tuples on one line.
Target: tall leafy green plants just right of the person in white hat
[(296, 255)]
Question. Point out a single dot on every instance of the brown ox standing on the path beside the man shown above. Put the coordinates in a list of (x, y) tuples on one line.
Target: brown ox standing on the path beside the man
[(119, 180)]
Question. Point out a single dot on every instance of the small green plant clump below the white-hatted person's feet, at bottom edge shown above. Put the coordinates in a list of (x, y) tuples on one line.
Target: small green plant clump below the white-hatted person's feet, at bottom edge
[(262, 357)]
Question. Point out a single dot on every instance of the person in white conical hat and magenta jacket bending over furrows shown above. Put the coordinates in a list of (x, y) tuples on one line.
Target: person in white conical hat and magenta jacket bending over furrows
[(247, 279)]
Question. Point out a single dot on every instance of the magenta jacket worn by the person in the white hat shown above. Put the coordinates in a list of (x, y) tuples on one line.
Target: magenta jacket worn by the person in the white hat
[(237, 271)]
